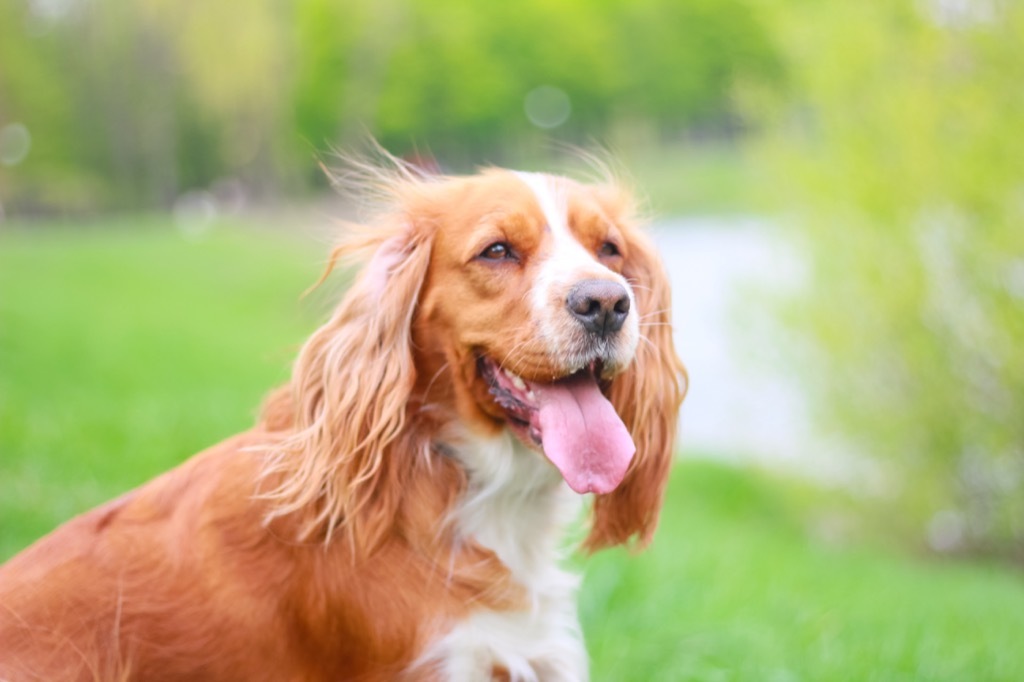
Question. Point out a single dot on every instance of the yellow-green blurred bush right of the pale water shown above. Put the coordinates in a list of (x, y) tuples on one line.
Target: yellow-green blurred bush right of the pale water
[(899, 148)]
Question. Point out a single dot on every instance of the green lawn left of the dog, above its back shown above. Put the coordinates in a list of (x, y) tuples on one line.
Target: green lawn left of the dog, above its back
[(124, 351)]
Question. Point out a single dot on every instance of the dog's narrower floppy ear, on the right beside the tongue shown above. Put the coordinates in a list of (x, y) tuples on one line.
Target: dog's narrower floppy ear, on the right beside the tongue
[(648, 398)]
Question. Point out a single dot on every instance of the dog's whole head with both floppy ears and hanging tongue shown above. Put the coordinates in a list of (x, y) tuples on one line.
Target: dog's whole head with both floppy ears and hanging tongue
[(503, 301)]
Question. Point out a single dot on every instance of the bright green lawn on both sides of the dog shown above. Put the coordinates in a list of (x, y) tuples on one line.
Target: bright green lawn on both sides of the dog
[(126, 349)]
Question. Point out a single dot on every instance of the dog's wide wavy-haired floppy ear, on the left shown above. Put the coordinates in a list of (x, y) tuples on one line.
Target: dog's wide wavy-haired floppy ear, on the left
[(350, 392)]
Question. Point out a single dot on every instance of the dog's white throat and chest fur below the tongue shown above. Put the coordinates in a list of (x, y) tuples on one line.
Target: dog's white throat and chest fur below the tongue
[(519, 507)]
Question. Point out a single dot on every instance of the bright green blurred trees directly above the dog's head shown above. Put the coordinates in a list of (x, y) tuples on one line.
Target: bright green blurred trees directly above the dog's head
[(457, 78)]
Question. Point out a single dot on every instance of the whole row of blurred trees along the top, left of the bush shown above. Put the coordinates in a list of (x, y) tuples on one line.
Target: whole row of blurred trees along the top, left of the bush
[(132, 104)]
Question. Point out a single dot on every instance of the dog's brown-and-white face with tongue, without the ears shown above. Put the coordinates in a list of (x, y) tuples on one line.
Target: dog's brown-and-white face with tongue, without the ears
[(527, 303)]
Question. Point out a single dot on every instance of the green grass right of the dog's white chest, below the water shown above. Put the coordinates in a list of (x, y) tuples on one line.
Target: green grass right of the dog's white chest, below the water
[(736, 588)]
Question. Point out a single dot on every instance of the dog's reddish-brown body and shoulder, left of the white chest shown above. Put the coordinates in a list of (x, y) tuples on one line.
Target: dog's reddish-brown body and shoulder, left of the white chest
[(183, 580)]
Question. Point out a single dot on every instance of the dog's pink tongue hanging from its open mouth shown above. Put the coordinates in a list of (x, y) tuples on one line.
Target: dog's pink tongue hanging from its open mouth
[(582, 435)]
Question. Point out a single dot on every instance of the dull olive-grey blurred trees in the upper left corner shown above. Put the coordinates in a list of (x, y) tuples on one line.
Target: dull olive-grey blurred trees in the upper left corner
[(132, 104)]
